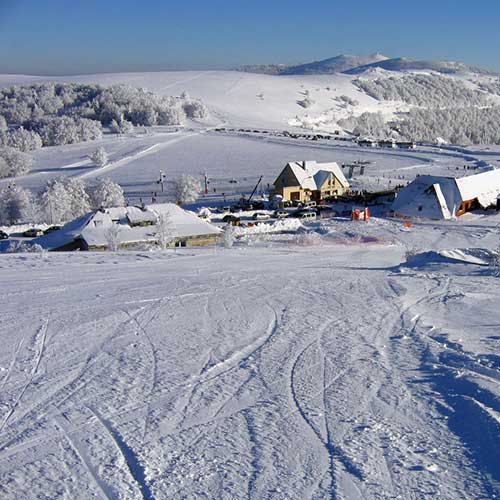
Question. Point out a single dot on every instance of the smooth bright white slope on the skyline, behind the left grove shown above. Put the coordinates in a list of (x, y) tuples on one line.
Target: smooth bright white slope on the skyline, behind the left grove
[(246, 99)]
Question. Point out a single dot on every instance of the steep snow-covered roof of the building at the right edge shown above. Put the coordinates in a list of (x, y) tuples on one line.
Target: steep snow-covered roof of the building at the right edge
[(437, 197)]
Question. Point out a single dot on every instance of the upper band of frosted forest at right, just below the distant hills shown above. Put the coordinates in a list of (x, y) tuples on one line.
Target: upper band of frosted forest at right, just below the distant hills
[(432, 91)]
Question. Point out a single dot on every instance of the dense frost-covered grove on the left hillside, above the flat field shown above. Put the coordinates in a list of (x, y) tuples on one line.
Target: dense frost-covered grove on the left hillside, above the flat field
[(51, 114)]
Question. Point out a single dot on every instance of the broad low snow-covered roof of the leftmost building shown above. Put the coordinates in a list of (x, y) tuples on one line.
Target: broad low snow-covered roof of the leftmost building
[(93, 227)]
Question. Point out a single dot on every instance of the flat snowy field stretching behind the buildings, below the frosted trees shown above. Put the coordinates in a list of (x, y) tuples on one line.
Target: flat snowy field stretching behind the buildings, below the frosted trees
[(135, 161)]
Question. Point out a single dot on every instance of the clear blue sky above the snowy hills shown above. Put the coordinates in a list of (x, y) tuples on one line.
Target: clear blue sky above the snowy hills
[(85, 36)]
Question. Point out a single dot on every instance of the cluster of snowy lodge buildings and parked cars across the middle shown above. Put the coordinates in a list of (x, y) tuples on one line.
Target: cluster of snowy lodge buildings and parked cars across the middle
[(303, 193)]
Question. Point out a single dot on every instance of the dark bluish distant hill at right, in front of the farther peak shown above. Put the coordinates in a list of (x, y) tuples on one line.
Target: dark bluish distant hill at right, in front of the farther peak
[(408, 64)]
